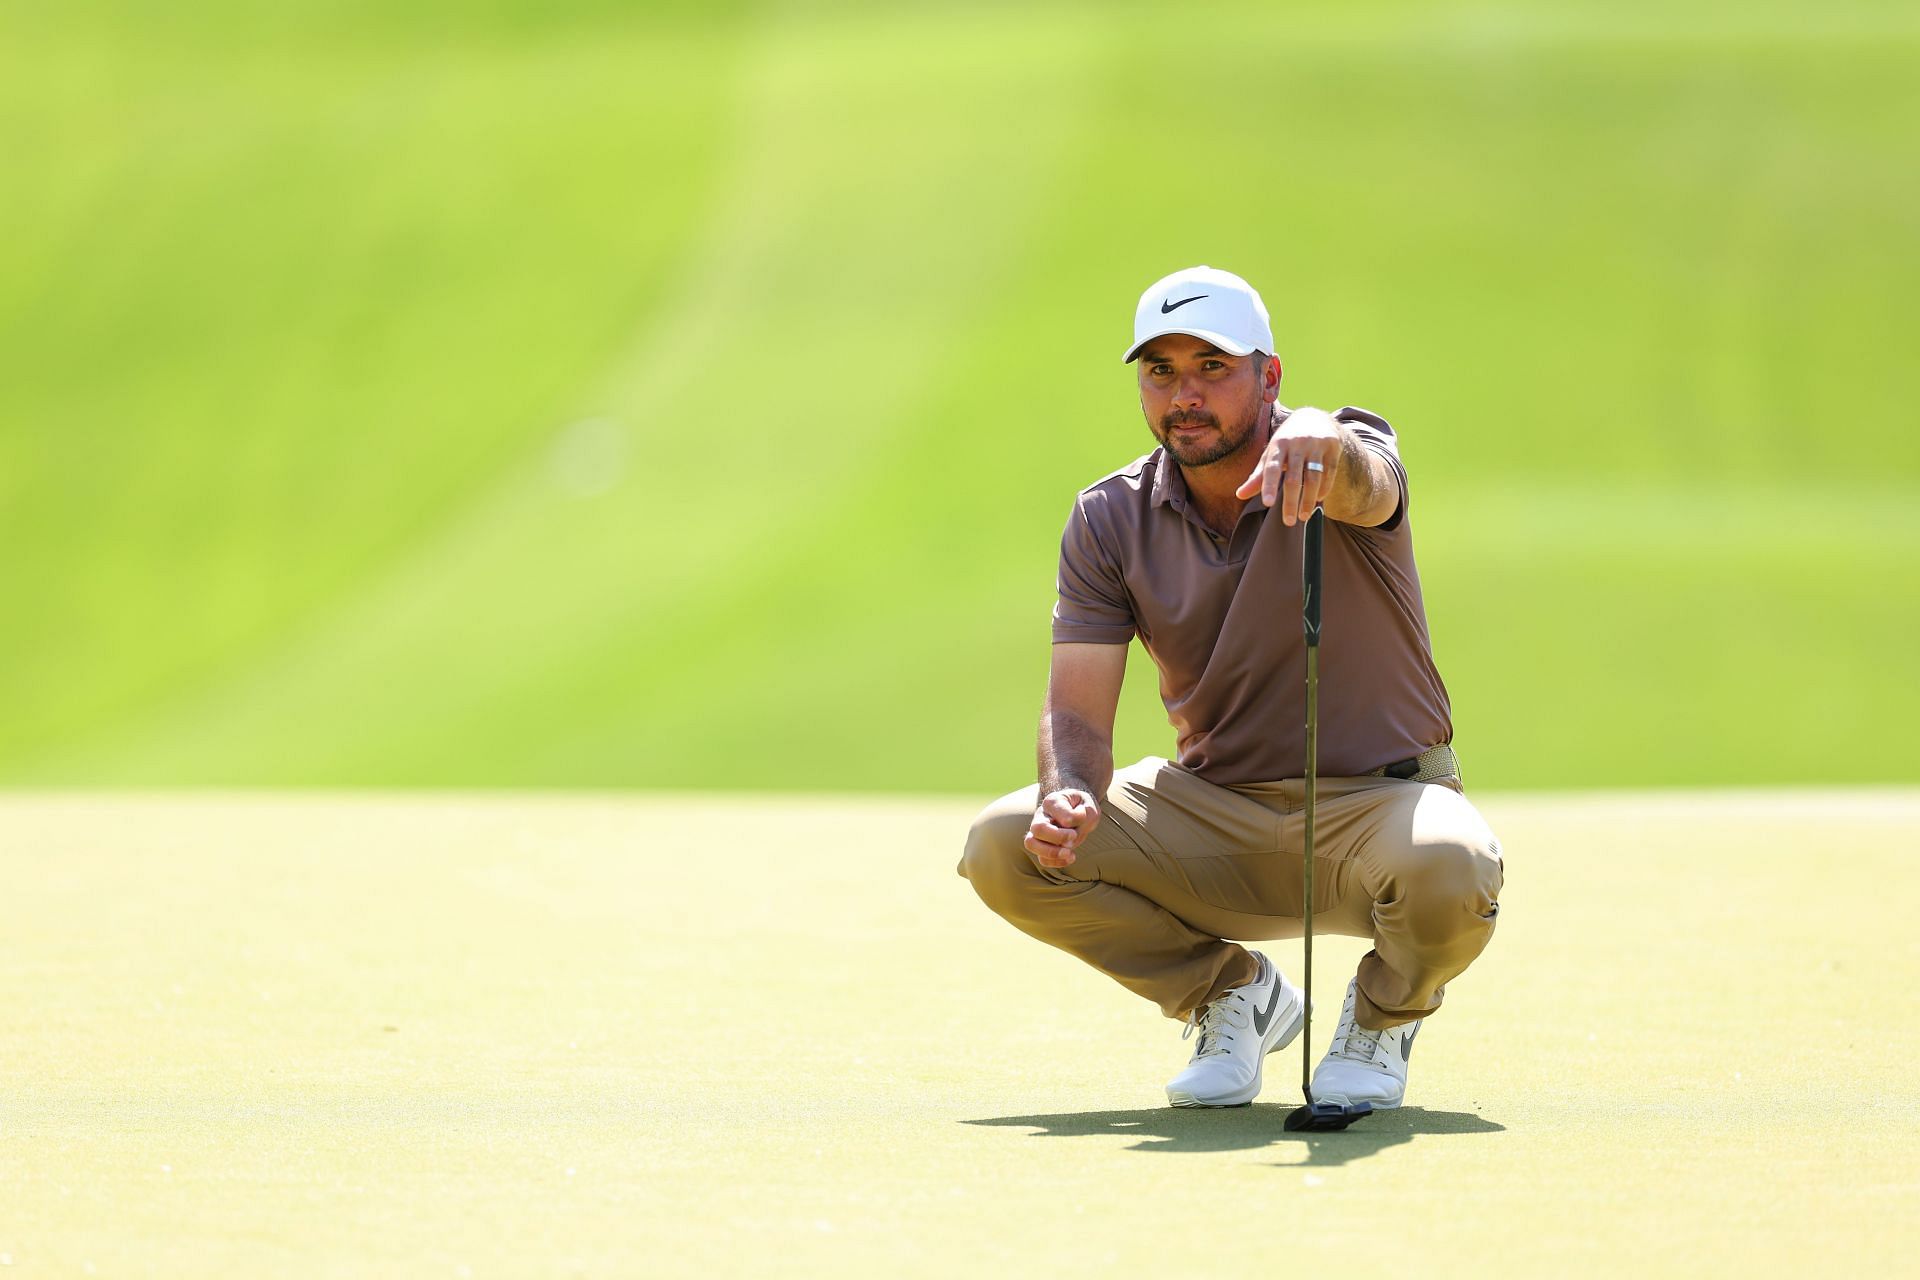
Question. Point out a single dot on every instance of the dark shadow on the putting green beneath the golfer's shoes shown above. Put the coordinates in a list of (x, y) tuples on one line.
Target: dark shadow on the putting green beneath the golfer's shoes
[(1249, 1129)]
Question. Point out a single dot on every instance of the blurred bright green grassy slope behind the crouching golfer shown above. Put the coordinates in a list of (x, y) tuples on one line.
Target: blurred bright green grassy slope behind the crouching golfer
[(690, 394)]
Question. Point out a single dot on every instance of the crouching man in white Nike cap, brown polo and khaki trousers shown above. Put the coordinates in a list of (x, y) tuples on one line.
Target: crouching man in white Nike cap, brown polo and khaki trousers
[(1149, 870)]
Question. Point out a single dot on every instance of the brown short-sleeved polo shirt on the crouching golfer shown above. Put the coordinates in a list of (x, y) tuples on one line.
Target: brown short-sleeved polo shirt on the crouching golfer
[(1222, 623)]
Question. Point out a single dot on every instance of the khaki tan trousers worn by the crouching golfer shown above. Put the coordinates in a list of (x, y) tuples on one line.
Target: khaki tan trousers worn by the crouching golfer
[(1178, 865)]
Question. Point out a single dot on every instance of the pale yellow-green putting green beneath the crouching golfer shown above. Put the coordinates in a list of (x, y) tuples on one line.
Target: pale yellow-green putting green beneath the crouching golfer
[(504, 1037)]
